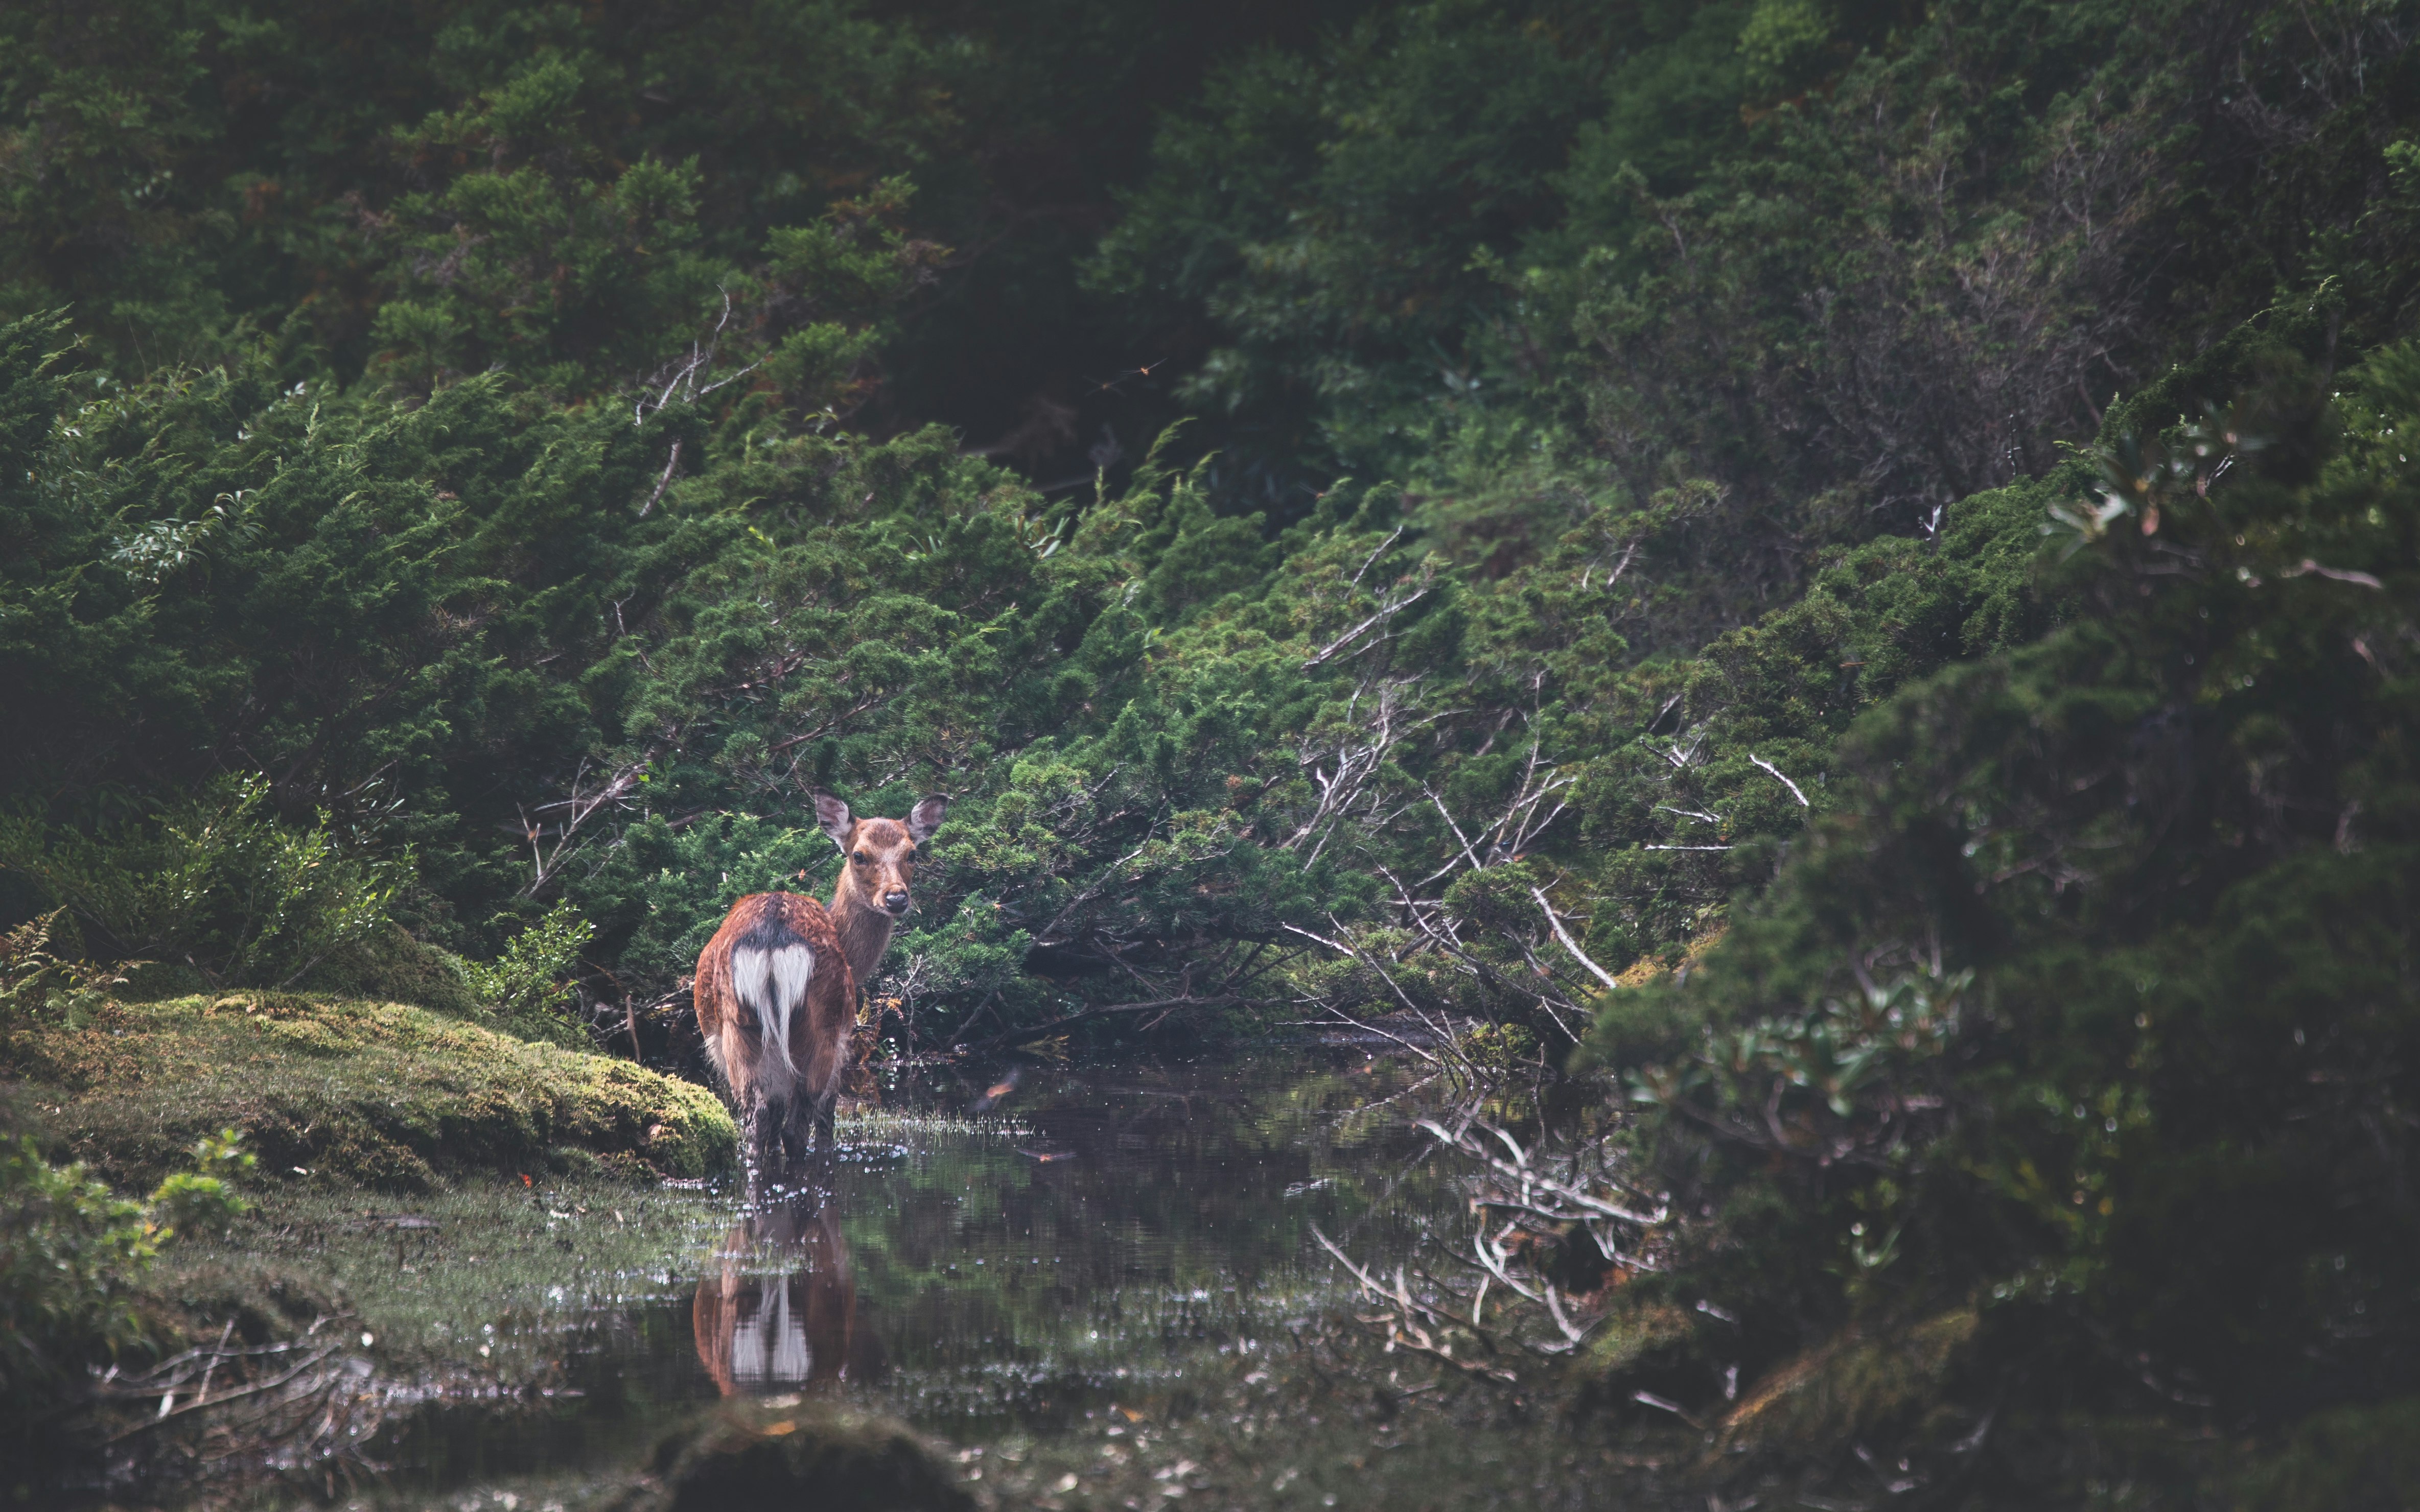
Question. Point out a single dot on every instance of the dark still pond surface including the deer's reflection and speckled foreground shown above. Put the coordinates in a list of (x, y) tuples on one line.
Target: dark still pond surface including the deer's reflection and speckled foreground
[(1102, 1291)]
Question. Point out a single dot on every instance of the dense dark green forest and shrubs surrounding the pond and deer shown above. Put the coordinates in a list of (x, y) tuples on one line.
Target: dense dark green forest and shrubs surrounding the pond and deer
[(1886, 529)]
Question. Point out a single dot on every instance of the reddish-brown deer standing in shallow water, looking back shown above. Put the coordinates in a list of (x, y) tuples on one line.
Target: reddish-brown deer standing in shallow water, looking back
[(776, 988)]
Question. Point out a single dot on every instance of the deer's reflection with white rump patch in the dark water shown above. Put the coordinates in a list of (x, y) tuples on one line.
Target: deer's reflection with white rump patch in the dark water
[(780, 1312)]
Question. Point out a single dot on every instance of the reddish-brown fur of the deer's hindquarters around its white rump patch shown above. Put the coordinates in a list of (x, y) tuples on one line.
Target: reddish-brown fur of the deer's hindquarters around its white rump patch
[(819, 1032)]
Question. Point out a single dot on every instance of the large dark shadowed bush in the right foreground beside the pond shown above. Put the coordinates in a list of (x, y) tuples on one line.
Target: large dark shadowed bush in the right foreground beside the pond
[(2107, 962)]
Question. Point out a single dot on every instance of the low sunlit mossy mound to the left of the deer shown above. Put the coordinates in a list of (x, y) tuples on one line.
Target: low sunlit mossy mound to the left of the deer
[(352, 1092)]
